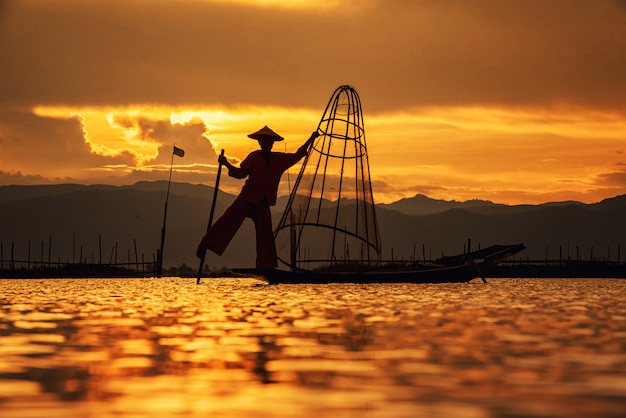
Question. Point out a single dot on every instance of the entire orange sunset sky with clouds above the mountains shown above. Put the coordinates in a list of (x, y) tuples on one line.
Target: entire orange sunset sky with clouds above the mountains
[(516, 101)]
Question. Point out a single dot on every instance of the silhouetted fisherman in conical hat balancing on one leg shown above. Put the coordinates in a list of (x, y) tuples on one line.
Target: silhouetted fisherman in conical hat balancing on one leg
[(263, 169)]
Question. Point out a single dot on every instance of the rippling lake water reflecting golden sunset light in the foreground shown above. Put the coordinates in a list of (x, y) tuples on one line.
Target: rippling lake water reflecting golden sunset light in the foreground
[(241, 348)]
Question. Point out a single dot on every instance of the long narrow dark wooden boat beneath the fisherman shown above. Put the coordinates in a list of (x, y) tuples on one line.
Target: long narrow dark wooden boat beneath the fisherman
[(451, 269)]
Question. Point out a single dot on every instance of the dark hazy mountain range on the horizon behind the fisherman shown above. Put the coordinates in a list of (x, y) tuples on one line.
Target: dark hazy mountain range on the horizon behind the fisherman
[(88, 222)]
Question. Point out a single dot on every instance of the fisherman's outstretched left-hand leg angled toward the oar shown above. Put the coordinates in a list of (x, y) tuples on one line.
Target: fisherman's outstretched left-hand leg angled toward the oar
[(224, 229)]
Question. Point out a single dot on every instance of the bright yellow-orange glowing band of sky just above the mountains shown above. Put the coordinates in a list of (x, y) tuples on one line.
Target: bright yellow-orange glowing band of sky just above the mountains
[(453, 153)]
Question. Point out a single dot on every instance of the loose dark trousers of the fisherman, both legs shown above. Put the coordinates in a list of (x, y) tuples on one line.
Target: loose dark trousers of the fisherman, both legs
[(224, 229)]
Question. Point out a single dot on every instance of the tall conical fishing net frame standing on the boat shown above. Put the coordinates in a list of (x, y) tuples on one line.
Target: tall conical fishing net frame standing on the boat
[(330, 219)]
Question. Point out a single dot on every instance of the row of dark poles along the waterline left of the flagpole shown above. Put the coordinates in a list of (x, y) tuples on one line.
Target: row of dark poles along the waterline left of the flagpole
[(12, 263)]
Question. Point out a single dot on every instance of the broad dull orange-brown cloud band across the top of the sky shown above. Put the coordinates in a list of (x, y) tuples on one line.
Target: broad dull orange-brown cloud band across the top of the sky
[(397, 53)]
